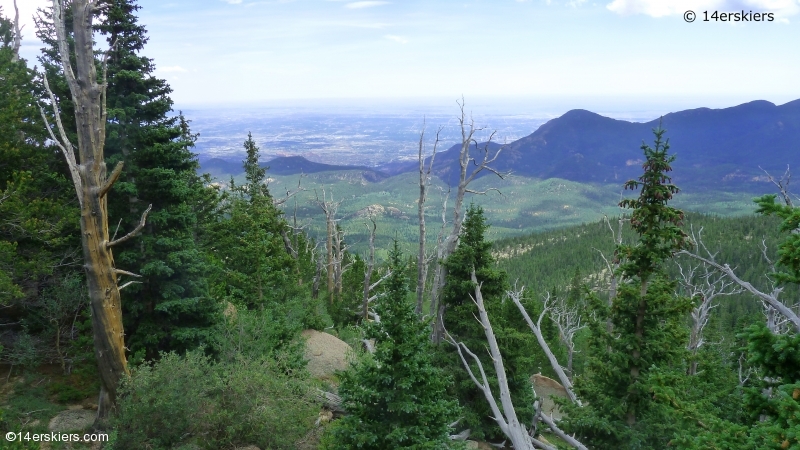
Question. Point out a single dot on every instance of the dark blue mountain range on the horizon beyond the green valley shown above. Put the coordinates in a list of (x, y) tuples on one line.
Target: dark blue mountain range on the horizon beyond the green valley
[(715, 148)]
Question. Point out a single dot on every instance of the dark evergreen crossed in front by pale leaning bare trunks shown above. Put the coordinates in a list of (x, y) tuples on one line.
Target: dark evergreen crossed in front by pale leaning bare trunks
[(515, 340)]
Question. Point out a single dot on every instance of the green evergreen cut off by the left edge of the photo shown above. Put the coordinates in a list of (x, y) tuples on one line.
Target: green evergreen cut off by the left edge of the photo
[(38, 211)]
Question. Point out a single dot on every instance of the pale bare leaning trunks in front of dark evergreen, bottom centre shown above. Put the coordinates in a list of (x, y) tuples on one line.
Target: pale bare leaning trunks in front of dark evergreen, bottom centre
[(507, 417)]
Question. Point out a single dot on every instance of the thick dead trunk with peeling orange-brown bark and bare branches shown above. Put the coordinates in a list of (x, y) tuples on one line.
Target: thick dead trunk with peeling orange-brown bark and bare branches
[(92, 185)]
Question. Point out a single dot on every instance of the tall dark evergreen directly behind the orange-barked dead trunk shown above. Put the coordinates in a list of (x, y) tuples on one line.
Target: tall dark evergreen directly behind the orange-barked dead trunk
[(171, 309)]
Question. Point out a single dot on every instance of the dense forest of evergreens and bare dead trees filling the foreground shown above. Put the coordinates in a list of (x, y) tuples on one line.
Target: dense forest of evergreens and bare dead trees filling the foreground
[(143, 301)]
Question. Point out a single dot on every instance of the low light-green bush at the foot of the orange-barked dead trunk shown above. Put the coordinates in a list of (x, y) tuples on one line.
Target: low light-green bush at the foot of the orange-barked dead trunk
[(183, 400)]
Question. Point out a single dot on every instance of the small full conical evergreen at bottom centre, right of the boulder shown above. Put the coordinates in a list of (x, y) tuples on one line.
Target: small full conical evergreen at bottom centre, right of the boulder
[(396, 398)]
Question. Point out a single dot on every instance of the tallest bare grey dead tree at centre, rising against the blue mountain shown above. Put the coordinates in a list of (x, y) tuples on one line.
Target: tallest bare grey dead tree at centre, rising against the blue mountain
[(465, 161)]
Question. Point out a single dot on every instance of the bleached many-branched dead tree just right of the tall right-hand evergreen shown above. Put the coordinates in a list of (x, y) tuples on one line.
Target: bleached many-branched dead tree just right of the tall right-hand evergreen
[(703, 283)]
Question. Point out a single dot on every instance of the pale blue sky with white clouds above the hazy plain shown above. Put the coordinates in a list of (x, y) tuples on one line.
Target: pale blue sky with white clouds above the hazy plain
[(525, 55)]
